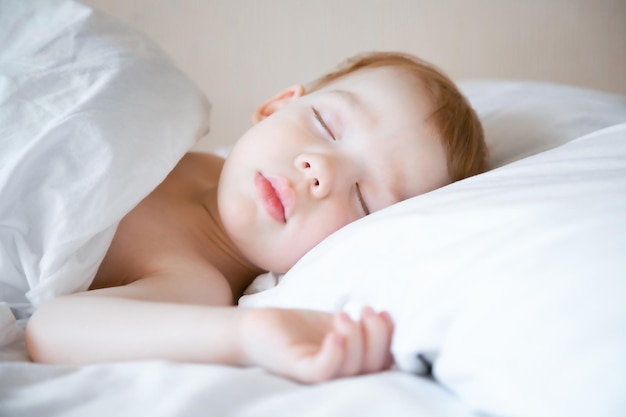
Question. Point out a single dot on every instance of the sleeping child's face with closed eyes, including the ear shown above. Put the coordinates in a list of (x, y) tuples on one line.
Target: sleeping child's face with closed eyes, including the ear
[(317, 162)]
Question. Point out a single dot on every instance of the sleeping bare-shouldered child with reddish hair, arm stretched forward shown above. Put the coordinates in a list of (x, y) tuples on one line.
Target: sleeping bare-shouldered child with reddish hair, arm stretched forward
[(382, 128)]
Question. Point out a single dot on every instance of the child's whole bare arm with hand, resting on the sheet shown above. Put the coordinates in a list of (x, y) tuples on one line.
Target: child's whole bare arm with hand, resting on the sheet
[(137, 321)]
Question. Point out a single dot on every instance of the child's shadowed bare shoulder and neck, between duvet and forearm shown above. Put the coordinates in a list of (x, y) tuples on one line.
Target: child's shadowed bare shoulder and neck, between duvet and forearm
[(176, 231)]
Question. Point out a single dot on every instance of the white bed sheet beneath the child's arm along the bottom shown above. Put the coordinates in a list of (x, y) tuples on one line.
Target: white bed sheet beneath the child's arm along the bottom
[(160, 389)]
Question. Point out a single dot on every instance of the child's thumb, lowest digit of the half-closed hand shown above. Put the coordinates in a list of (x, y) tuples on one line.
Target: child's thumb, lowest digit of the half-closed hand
[(325, 364)]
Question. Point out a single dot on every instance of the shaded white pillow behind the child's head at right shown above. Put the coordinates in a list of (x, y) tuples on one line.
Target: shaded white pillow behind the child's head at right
[(524, 118)]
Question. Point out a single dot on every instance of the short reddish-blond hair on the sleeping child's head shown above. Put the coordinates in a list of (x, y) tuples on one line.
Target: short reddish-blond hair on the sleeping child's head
[(453, 118)]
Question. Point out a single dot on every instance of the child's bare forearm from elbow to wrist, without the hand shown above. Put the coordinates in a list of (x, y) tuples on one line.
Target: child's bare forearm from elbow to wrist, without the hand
[(94, 328)]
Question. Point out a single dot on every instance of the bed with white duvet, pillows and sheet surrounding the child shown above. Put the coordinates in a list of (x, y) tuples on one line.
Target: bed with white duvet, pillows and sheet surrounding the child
[(507, 288)]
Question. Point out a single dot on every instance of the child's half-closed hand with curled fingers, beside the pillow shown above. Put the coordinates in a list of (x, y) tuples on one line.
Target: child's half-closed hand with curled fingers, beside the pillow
[(312, 346)]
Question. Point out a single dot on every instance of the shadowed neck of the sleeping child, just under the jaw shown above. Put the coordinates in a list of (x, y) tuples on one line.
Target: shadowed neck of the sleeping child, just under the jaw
[(221, 251)]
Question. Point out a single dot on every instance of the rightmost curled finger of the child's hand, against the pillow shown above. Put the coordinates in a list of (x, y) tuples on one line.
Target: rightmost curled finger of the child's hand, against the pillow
[(377, 340)]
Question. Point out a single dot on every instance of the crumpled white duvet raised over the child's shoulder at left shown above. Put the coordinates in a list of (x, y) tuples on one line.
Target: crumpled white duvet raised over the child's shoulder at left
[(92, 117)]
